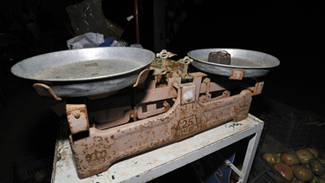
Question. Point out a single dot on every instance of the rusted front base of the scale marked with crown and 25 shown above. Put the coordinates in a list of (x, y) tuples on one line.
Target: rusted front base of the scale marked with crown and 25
[(97, 149)]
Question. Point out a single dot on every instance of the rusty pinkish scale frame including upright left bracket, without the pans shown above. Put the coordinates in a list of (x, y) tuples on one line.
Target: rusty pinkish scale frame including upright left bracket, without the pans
[(96, 149)]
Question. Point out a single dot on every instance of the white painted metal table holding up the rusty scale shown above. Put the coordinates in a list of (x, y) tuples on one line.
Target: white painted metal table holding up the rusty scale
[(155, 163)]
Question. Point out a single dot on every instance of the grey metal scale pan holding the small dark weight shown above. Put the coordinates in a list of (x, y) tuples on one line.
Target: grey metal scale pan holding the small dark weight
[(253, 63)]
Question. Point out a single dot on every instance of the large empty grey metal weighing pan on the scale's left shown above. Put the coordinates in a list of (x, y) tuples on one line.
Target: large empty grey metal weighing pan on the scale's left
[(86, 72)]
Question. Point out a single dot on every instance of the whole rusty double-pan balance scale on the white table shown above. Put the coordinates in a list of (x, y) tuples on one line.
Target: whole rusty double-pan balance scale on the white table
[(121, 101)]
